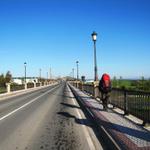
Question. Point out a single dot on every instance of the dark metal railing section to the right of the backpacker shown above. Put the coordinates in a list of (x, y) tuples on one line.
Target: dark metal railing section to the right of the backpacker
[(136, 103)]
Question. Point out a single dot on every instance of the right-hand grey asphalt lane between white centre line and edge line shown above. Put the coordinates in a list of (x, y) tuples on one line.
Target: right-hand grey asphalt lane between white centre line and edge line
[(49, 122)]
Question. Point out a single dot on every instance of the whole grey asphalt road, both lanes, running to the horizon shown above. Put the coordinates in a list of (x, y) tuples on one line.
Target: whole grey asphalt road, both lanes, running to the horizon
[(46, 119)]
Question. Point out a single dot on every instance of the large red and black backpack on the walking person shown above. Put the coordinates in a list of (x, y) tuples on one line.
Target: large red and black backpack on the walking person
[(105, 83)]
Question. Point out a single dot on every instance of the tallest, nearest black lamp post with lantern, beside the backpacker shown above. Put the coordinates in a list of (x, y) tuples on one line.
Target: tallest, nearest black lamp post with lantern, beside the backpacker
[(94, 37)]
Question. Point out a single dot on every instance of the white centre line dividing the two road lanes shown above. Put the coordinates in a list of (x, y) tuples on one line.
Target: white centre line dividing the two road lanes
[(26, 104)]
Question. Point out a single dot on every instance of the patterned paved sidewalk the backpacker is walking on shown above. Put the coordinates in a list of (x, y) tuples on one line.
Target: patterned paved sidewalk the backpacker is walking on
[(124, 133)]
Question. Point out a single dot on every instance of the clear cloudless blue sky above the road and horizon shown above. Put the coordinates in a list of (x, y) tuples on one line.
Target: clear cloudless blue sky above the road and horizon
[(57, 33)]
